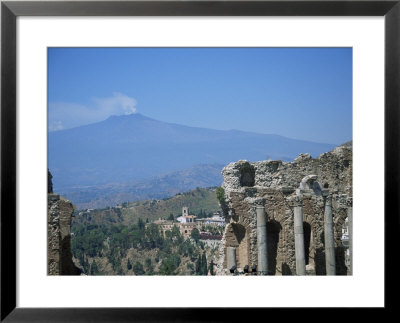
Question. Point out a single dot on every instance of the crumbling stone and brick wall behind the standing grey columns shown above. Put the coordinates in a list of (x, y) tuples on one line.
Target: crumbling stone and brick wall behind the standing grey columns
[(273, 184)]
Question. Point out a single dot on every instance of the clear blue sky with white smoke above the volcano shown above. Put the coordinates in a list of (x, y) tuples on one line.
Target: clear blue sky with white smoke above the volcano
[(302, 93)]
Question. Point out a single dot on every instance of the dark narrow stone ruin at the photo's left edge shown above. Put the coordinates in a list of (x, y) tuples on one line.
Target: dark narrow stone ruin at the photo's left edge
[(59, 217)]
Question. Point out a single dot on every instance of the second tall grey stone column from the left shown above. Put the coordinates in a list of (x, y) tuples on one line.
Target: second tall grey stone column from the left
[(299, 237)]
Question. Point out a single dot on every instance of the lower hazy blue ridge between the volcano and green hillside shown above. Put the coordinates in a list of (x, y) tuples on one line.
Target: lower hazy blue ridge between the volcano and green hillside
[(157, 187)]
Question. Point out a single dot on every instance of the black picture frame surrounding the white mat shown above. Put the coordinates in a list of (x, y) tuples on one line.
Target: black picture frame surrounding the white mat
[(10, 10)]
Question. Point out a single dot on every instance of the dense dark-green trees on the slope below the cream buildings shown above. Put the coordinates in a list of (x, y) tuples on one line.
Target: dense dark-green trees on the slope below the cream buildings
[(139, 249)]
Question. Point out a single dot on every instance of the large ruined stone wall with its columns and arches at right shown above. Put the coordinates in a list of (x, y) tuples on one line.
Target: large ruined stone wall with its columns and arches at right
[(286, 218)]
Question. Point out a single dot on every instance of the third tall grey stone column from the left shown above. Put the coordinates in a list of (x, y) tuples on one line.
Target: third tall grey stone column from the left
[(330, 261)]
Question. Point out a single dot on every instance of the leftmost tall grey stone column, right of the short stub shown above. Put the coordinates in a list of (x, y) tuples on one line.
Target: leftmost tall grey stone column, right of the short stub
[(262, 267)]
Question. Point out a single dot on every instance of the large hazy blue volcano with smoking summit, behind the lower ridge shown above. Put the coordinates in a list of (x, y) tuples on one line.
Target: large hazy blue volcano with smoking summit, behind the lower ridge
[(134, 147)]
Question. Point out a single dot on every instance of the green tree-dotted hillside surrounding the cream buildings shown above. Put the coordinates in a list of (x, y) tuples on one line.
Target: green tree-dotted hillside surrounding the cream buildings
[(116, 241)]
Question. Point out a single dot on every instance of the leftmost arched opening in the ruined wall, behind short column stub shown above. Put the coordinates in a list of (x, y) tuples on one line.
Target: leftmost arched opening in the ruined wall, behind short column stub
[(237, 236)]
